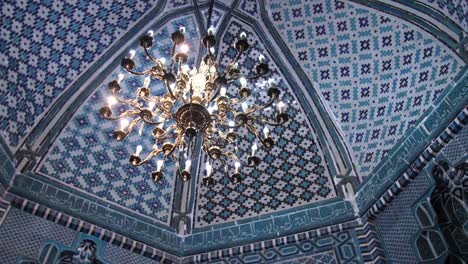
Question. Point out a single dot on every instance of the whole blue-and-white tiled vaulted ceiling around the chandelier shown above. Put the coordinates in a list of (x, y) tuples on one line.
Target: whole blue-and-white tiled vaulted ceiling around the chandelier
[(359, 79)]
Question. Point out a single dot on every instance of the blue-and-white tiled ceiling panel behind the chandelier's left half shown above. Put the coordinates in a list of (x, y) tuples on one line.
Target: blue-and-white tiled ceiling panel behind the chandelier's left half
[(86, 156)]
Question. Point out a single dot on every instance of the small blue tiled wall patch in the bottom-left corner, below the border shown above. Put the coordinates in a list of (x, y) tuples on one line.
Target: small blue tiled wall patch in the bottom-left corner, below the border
[(24, 234)]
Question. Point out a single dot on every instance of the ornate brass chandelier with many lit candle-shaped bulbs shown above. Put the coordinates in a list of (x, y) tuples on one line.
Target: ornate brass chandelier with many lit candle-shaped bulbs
[(195, 105)]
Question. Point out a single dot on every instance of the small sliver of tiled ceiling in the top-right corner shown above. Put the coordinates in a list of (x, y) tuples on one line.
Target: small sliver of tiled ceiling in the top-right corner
[(454, 9)]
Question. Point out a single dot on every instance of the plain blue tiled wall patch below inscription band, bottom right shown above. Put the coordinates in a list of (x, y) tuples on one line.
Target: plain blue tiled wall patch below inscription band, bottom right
[(397, 224)]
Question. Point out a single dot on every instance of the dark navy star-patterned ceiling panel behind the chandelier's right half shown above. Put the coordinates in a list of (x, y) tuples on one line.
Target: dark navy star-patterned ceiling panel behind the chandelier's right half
[(293, 173)]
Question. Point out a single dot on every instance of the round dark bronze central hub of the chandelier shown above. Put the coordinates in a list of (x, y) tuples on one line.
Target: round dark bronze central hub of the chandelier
[(192, 116)]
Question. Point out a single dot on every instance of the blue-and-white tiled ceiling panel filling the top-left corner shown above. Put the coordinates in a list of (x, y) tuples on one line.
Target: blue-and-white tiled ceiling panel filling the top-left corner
[(46, 45)]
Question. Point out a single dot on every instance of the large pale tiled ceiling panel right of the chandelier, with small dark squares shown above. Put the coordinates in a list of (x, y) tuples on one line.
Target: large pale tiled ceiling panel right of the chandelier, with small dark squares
[(377, 73)]
